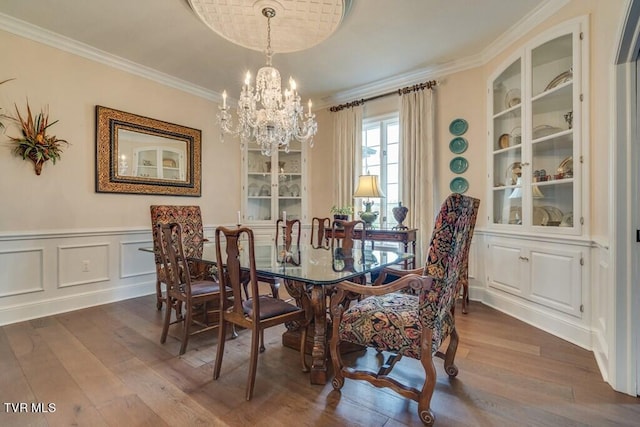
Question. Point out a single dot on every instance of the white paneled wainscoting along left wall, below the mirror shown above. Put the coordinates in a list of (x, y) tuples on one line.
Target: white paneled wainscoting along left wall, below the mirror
[(45, 273)]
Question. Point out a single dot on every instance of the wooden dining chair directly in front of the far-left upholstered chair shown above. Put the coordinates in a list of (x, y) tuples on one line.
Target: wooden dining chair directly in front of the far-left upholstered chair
[(200, 298)]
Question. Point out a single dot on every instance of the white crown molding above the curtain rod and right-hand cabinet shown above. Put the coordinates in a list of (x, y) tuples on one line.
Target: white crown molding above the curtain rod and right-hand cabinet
[(541, 13)]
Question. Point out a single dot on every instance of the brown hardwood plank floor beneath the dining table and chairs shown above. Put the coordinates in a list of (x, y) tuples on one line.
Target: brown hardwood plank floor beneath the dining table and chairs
[(105, 366)]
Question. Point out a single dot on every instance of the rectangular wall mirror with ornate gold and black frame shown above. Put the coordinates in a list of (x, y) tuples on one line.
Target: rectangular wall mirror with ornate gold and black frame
[(136, 154)]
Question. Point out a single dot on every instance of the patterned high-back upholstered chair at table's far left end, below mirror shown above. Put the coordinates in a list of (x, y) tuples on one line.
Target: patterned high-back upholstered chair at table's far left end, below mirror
[(190, 220)]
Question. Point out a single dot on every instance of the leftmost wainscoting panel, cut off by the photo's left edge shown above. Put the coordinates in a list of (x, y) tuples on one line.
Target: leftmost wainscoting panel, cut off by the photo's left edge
[(22, 271)]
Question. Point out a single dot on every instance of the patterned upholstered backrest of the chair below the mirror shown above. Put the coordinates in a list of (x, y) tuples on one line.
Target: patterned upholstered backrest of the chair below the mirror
[(190, 220)]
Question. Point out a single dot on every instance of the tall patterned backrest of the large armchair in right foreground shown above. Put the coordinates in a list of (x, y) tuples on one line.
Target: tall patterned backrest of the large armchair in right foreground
[(448, 252)]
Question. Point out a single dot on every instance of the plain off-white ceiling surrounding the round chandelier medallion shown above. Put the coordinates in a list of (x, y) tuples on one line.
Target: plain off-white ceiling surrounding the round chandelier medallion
[(378, 42)]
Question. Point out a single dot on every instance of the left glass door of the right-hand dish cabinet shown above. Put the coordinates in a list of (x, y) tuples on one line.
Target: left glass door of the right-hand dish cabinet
[(507, 145)]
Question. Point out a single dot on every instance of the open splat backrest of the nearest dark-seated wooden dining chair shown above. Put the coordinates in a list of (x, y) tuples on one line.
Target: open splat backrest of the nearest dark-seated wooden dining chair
[(228, 259)]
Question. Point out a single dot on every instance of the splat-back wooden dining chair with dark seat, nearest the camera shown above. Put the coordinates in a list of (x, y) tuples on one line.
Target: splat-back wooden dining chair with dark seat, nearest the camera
[(255, 312)]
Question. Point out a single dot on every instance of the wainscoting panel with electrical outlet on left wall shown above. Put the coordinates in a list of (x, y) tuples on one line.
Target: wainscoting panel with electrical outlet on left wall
[(83, 264)]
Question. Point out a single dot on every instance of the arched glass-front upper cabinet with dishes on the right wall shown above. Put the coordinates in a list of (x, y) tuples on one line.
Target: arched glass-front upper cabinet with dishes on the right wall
[(537, 109)]
